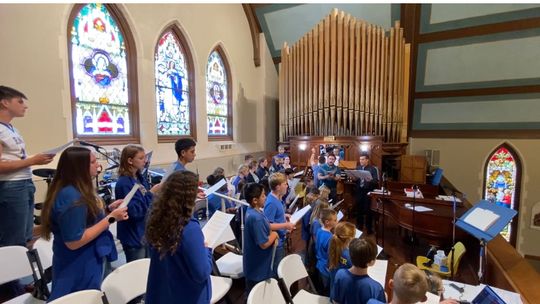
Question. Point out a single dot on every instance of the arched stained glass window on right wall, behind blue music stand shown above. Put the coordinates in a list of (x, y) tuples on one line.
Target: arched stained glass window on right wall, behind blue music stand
[(502, 184)]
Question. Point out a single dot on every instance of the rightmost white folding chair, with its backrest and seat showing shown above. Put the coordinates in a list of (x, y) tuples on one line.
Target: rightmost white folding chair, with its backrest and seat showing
[(290, 270)]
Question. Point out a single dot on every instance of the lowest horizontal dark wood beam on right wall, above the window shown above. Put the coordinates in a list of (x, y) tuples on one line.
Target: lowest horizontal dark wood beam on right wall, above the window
[(510, 134)]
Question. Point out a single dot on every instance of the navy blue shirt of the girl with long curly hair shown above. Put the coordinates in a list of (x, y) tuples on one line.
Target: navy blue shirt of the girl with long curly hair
[(183, 276)]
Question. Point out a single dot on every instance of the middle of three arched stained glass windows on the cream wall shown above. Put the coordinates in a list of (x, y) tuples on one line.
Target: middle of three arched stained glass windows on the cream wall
[(175, 103)]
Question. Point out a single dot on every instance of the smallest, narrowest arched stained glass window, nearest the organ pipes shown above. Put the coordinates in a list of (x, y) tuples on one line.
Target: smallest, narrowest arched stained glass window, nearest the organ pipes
[(218, 97)]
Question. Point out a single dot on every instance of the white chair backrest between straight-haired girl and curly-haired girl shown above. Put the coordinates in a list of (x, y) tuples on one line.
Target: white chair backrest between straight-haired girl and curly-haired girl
[(126, 282)]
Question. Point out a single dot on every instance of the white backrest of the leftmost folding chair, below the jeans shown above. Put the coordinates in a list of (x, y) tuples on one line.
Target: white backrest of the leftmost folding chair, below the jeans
[(14, 263)]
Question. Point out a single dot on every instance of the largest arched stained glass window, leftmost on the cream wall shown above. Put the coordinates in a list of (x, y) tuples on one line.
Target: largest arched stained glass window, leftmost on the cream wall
[(103, 95)]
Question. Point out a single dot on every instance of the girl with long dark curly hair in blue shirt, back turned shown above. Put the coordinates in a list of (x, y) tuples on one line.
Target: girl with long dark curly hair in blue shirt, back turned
[(180, 262)]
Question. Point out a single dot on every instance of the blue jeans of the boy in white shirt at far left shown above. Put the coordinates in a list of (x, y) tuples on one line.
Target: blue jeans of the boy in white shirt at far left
[(16, 212)]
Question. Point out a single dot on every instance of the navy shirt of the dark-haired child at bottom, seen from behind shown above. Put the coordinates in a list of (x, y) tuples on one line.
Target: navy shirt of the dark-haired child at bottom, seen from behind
[(350, 288)]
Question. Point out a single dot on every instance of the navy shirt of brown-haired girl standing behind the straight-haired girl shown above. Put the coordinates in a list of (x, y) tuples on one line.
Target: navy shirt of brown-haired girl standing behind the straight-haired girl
[(131, 231)]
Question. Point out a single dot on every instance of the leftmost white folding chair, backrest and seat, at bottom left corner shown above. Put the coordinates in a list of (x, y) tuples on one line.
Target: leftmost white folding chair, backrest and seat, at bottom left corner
[(14, 265)]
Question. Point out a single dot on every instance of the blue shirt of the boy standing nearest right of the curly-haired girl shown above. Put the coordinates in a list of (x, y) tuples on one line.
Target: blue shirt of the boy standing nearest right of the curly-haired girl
[(257, 261)]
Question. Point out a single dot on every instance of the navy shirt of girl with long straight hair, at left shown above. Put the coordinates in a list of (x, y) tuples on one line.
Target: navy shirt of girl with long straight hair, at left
[(82, 268)]
